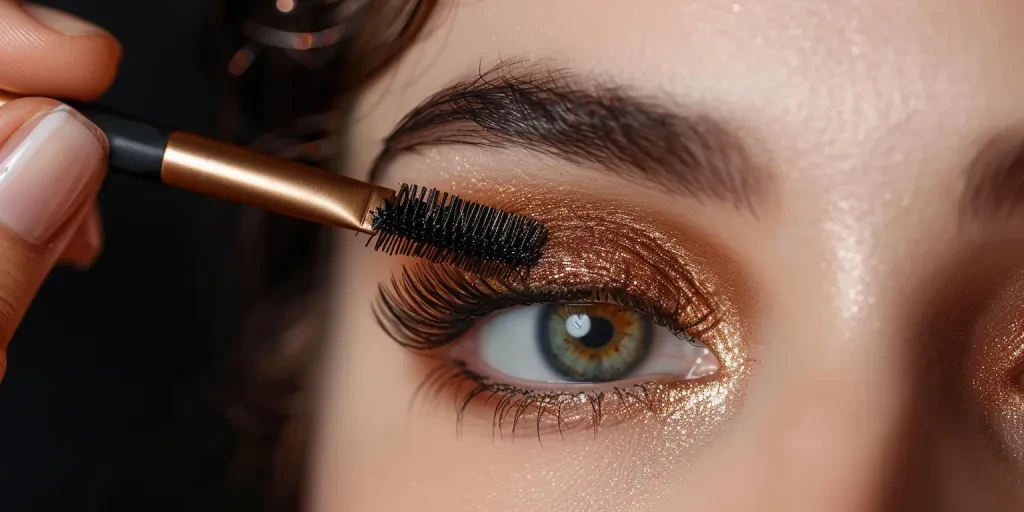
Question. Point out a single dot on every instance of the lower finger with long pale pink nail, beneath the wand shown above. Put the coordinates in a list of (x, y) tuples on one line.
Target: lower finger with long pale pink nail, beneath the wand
[(52, 163)]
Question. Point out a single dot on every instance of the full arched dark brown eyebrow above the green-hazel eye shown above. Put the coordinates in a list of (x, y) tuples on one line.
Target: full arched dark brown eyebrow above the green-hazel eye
[(601, 126)]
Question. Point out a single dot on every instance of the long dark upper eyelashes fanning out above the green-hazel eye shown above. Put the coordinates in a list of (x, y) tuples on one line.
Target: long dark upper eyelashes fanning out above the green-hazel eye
[(431, 307)]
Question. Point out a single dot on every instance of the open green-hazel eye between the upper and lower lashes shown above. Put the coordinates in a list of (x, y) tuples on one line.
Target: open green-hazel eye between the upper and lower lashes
[(582, 344)]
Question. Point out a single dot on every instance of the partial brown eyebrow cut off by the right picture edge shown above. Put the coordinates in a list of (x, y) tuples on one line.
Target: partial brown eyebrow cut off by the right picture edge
[(995, 182)]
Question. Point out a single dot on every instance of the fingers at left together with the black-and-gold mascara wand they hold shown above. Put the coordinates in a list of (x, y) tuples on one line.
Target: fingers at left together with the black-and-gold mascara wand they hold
[(53, 160)]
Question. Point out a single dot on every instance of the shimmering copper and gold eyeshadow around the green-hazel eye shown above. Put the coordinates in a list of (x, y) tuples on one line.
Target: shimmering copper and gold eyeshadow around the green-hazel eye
[(621, 246)]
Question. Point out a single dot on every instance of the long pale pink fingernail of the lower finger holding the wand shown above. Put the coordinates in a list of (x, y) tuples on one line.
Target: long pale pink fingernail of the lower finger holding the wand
[(47, 167)]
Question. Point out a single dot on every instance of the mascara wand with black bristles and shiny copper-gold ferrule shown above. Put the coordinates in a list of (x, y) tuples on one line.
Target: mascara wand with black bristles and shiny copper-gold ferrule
[(413, 222)]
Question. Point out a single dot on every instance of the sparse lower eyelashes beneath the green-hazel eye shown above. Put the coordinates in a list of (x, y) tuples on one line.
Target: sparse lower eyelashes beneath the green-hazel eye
[(548, 411)]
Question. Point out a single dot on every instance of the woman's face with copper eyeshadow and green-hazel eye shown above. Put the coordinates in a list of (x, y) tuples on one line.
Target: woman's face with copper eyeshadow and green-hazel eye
[(785, 268)]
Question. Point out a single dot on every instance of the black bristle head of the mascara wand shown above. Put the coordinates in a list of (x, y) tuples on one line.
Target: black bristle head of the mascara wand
[(445, 229)]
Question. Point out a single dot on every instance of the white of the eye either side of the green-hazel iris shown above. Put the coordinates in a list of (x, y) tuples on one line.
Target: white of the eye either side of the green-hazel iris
[(508, 346)]
